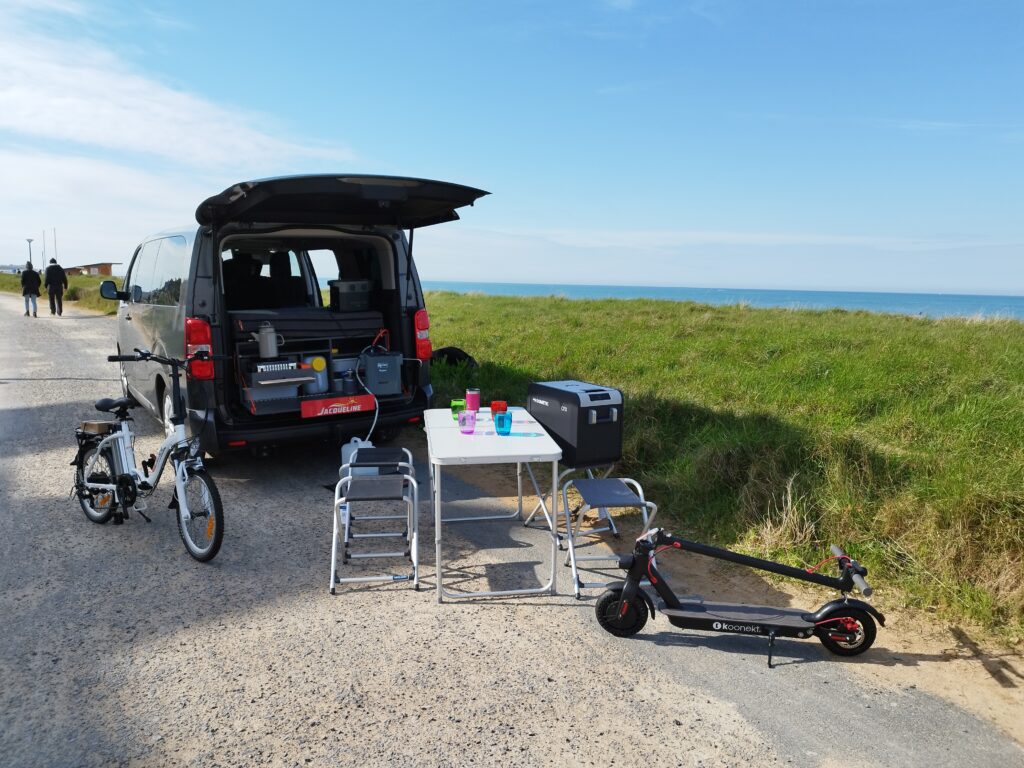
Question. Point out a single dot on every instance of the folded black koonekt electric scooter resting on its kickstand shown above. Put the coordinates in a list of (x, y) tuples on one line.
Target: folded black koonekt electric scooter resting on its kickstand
[(845, 627)]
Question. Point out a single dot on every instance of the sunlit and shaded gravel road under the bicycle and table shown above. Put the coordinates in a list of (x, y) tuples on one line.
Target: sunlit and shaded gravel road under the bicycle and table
[(119, 650)]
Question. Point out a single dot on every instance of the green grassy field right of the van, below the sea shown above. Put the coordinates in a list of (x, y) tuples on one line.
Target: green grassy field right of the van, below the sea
[(782, 432)]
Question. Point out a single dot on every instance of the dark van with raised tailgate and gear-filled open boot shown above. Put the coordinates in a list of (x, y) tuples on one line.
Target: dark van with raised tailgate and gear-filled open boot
[(246, 285)]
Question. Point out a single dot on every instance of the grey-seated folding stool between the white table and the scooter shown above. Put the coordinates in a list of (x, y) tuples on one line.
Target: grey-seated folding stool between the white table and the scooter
[(602, 494)]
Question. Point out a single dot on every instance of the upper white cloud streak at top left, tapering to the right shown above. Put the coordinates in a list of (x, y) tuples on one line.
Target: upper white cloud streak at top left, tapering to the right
[(75, 92)]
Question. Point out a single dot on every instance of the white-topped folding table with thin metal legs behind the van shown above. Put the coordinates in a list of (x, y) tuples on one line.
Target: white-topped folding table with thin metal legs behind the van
[(449, 447)]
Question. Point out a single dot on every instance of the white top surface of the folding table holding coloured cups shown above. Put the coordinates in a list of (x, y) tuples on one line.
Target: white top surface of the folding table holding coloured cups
[(528, 442)]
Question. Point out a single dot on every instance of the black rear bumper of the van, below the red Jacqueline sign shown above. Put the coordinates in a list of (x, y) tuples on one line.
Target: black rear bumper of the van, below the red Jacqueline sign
[(218, 437)]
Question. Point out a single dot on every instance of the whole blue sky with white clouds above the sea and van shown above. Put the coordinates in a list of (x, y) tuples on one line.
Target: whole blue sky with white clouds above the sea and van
[(842, 145)]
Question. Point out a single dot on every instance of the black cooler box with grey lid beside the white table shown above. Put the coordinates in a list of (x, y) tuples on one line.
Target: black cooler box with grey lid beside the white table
[(586, 420)]
